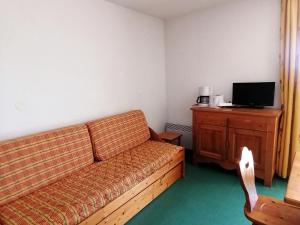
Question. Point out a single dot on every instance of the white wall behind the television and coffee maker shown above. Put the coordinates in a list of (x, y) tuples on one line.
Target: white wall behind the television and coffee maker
[(236, 41)]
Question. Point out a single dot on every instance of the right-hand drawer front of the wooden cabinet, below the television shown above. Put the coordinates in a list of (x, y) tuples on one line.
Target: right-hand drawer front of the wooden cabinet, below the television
[(248, 123)]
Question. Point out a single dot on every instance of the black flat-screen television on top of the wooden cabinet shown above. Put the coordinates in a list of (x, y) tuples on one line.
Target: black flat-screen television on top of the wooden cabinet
[(253, 94)]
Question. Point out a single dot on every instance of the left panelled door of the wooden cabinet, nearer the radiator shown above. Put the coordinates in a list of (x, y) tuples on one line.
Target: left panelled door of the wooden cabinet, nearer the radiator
[(211, 141)]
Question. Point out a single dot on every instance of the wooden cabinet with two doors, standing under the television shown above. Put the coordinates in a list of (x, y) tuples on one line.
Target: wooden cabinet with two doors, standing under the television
[(219, 135)]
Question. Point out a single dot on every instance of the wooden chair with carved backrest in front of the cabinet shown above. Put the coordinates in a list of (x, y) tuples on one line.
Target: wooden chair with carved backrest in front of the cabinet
[(263, 210)]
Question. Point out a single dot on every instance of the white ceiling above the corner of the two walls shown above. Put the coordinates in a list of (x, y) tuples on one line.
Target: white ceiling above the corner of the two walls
[(166, 9)]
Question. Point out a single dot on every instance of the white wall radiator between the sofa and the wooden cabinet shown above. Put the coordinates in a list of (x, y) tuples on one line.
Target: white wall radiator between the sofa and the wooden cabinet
[(186, 131)]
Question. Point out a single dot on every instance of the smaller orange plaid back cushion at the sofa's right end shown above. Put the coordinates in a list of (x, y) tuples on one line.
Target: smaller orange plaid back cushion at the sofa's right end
[(118, 133)]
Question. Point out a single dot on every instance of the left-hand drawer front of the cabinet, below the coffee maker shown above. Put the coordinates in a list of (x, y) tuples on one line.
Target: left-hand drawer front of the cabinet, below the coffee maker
[(210, 119)]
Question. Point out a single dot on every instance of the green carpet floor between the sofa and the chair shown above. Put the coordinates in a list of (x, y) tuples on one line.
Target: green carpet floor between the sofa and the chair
[(208, 195)]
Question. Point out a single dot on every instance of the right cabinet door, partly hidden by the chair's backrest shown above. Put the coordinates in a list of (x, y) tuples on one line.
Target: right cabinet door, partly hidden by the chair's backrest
[(254, 140)]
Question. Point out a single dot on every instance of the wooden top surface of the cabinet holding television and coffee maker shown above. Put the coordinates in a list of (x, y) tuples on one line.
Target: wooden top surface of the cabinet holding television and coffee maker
[(261, 112)]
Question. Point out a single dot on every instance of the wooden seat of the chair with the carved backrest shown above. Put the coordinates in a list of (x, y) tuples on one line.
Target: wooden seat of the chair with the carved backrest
[(274, 212)]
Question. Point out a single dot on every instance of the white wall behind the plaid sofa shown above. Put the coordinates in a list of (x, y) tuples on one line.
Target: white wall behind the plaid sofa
[(69, 61)]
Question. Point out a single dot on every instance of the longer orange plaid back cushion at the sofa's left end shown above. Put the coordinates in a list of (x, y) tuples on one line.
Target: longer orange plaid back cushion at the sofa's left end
[(29, 163)]
